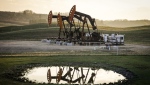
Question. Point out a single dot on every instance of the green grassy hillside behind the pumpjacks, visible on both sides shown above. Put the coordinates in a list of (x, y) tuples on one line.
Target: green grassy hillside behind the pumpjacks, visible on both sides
[(135, 35)]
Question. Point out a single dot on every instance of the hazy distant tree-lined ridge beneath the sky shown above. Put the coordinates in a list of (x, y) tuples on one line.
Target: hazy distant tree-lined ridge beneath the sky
[(25, 18)]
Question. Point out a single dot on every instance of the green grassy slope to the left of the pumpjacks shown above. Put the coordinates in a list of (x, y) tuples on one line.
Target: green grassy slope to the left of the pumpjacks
[(29, 32)]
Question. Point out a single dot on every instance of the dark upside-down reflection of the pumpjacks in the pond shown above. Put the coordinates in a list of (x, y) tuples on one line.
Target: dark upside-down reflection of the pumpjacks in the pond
[(81, 78)]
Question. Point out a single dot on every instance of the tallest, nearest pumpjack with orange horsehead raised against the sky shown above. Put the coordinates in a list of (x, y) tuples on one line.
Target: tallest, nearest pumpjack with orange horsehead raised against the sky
[(78, 15)]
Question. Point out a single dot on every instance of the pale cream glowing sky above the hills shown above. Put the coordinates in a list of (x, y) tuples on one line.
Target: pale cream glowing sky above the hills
[(99, 9)]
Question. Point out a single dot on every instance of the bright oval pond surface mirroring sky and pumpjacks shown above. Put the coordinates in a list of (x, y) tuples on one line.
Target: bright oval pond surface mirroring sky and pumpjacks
[(72, 75)]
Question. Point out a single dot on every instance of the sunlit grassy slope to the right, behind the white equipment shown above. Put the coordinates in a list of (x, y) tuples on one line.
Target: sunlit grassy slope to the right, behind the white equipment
[(133, 35)]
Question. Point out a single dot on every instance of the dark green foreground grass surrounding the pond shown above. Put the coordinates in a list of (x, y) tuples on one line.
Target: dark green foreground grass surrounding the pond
[(139, 65)]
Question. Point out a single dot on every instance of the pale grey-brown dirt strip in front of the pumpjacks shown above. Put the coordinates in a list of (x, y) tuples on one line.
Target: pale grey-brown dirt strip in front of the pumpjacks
[(14, 46)]
